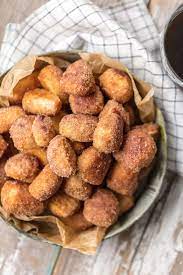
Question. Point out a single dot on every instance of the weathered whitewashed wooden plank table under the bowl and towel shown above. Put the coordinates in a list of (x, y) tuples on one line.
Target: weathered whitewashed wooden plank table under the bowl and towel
[(154, 245)]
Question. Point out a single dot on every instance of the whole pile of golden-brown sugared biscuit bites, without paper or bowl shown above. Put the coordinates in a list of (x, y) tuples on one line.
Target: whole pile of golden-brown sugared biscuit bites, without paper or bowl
[(70, 146)]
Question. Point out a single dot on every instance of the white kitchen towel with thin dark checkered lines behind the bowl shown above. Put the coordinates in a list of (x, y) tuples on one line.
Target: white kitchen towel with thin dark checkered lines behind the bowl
[(123, 30)]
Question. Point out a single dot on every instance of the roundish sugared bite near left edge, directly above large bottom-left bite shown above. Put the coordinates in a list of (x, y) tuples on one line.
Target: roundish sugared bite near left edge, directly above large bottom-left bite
[(23, 167)]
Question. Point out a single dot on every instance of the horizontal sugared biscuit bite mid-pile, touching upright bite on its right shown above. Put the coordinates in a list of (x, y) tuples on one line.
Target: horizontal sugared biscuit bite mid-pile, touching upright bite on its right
[(78, 127)]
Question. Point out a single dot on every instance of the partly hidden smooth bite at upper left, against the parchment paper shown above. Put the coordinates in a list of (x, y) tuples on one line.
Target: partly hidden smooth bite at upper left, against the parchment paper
[(27, 83)]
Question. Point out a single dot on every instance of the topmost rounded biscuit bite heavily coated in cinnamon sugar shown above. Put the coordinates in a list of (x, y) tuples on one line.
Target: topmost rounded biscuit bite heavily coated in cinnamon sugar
[(78, 79)]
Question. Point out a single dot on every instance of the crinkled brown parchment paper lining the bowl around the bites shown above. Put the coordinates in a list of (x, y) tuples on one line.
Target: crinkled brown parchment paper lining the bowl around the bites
[(49, 227)]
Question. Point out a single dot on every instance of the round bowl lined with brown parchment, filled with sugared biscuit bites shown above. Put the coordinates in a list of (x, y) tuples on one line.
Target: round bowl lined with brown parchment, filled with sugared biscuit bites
[(82, 148)]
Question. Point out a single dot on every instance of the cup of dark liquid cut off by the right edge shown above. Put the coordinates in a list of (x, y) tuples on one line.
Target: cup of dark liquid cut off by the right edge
[(172, 46)]
